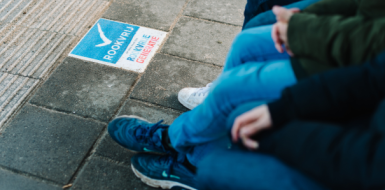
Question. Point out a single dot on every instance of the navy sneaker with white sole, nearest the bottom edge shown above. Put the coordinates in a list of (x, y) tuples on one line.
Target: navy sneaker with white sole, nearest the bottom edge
[(163, 171)]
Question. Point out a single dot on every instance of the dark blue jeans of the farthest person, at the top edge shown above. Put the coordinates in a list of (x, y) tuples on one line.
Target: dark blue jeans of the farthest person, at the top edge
[(258, 12)]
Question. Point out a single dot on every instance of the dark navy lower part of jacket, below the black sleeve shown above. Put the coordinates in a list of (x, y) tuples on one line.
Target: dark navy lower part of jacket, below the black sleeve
[(338, 157)]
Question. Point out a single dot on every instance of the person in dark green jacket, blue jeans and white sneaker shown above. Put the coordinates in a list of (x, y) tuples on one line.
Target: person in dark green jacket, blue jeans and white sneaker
[(326, 35)]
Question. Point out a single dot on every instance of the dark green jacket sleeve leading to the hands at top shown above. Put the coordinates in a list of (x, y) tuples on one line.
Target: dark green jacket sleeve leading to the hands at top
[(336, 40)]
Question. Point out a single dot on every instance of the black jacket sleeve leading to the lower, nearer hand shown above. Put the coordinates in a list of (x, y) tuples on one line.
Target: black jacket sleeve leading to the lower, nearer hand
[(334, 95)]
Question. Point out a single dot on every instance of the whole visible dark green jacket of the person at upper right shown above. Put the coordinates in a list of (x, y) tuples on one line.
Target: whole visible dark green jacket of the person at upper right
[(336, 33)]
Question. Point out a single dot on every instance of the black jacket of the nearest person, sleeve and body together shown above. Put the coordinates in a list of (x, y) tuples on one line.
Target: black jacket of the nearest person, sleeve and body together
[(342, 156)]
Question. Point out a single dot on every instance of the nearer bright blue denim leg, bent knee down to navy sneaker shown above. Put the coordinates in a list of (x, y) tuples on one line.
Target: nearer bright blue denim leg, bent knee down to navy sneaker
[(207, 122)]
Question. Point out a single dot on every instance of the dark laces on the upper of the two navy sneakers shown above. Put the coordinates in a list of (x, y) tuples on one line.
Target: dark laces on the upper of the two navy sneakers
[(146, 133)]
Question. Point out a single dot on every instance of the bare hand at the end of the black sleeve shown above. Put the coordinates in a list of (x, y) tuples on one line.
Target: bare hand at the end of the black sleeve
[(249, 124)]
